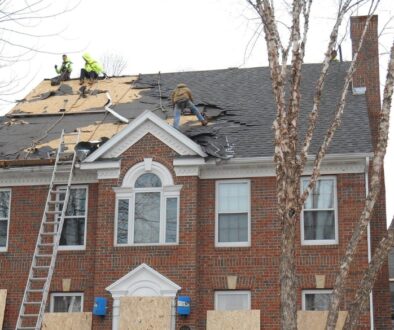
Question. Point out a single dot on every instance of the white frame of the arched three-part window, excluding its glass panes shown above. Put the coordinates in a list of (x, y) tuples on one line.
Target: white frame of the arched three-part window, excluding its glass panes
[(127, 191)]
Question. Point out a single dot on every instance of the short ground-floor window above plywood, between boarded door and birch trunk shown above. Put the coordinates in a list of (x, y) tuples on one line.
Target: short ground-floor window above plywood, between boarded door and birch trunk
[(232, 300)]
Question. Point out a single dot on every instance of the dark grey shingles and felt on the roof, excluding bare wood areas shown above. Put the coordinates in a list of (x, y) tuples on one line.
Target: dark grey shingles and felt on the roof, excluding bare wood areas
[(239, 104)]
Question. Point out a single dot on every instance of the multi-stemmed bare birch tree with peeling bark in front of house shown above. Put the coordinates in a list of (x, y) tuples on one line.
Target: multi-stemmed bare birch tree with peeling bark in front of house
[(290, 160)]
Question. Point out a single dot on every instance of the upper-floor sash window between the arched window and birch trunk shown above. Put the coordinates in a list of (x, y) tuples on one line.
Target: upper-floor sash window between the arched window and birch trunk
[(233, 213)]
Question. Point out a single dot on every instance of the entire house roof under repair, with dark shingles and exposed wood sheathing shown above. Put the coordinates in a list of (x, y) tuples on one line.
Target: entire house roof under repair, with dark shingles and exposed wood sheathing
[(238, 104)]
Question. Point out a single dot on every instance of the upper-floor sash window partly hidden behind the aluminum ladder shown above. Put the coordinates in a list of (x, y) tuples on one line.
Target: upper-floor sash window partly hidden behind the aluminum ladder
[(74, 227)]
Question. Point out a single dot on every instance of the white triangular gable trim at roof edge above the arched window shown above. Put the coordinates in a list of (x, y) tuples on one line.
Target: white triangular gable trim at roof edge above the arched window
[(145, 123)]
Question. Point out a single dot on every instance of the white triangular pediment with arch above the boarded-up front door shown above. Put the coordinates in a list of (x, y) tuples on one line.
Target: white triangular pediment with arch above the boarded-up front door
[(143, 281)]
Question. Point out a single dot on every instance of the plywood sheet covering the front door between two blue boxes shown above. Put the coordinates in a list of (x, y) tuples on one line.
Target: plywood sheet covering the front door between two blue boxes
[(145, 313)]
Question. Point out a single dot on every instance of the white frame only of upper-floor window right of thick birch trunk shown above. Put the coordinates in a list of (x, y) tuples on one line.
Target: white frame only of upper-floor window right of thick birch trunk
[(335, 208)]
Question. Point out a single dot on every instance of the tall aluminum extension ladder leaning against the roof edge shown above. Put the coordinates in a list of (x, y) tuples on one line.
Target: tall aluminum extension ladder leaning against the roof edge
[(32, 309)]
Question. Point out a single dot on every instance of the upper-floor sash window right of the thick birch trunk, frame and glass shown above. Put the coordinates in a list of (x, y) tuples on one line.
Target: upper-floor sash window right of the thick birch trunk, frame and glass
[(319, 219)]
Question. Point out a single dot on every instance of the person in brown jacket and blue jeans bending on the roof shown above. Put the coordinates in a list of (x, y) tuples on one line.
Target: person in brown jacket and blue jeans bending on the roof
[(182, 98)]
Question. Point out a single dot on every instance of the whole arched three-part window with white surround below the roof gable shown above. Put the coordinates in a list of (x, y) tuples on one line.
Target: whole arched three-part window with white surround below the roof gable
[(147, 206)]
